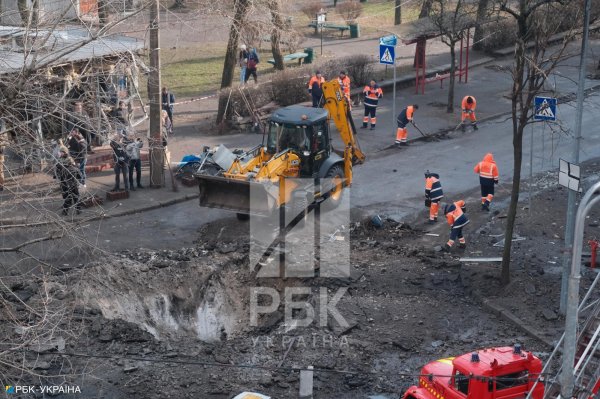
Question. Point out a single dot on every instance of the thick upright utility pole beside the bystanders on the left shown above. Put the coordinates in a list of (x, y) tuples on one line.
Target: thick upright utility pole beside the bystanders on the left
[(157, 151)]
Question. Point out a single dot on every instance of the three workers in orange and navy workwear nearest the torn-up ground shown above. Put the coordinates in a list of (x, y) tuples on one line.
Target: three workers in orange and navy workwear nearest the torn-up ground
[(456, 212)]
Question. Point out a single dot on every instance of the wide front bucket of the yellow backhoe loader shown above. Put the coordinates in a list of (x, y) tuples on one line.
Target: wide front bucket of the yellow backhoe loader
[(237, 195)]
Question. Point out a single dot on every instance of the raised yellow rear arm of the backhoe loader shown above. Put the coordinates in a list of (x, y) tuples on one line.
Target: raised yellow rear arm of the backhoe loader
[(339, 110)]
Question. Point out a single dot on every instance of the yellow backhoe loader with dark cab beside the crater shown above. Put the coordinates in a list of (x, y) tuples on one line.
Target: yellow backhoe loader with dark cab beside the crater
[(298, 149)]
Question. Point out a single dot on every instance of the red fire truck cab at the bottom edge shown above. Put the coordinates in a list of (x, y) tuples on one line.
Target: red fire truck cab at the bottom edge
[(495, 373)]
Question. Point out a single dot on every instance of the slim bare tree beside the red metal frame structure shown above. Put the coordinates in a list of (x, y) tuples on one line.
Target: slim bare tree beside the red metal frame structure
[(451, 18)]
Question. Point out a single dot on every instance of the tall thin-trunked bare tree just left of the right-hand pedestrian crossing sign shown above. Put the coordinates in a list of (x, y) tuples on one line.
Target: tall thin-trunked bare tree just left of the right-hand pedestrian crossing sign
[(534, 61)]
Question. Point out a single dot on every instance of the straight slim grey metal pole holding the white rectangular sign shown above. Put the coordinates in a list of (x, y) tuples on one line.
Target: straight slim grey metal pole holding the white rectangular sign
[(571, 210)]
